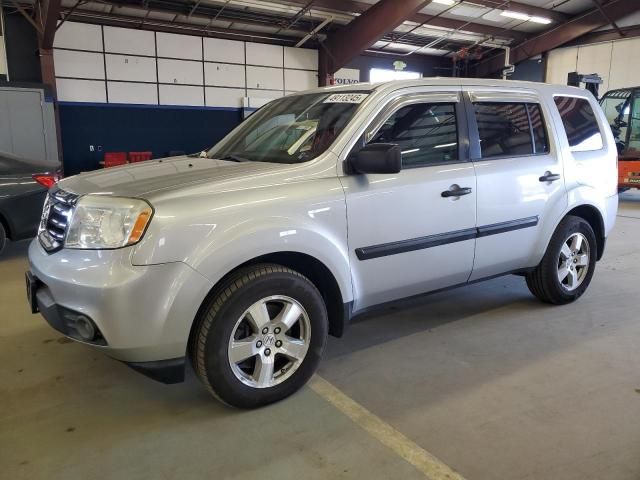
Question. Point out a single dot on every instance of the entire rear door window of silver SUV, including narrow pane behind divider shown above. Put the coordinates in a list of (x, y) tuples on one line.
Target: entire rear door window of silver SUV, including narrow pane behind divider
[(510, 129)]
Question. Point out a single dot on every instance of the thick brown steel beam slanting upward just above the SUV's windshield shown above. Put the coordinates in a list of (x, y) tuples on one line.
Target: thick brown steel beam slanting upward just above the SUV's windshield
[(362, 32)]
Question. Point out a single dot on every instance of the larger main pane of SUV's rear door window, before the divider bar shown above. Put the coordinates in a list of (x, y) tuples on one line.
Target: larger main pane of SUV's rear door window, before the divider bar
[(504, 129)]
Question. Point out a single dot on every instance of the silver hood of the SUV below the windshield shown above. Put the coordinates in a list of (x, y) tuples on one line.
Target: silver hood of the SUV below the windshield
[(167, 174)]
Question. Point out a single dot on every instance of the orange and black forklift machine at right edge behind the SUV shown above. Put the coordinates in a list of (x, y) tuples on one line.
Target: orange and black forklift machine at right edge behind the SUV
[(622, 108)]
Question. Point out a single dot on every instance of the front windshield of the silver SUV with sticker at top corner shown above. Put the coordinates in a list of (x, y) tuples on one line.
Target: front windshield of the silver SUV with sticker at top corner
[(293, 129)]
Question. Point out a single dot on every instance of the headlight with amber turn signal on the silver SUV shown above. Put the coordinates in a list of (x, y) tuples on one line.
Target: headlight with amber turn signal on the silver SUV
[(107, 222)]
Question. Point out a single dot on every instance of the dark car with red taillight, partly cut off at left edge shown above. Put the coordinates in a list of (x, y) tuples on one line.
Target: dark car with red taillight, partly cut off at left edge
[(23, 186)]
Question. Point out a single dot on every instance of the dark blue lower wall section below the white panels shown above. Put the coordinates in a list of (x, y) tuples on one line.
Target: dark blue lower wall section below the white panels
[(128, 128)]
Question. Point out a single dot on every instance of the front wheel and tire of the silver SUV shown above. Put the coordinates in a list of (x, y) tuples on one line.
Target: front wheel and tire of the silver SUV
[(251, 301)]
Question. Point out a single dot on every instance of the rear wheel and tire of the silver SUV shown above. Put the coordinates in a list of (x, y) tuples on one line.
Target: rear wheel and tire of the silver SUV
[(564, 251)]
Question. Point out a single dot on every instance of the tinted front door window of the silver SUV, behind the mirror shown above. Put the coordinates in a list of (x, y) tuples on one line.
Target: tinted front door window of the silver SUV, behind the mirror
[(427, 133)]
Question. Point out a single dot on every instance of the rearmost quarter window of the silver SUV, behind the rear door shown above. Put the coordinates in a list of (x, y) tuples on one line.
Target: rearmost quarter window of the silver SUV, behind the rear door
[(580, 123)]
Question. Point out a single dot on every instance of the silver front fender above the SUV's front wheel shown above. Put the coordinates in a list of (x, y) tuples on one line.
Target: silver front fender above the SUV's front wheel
[(214, 236)]
